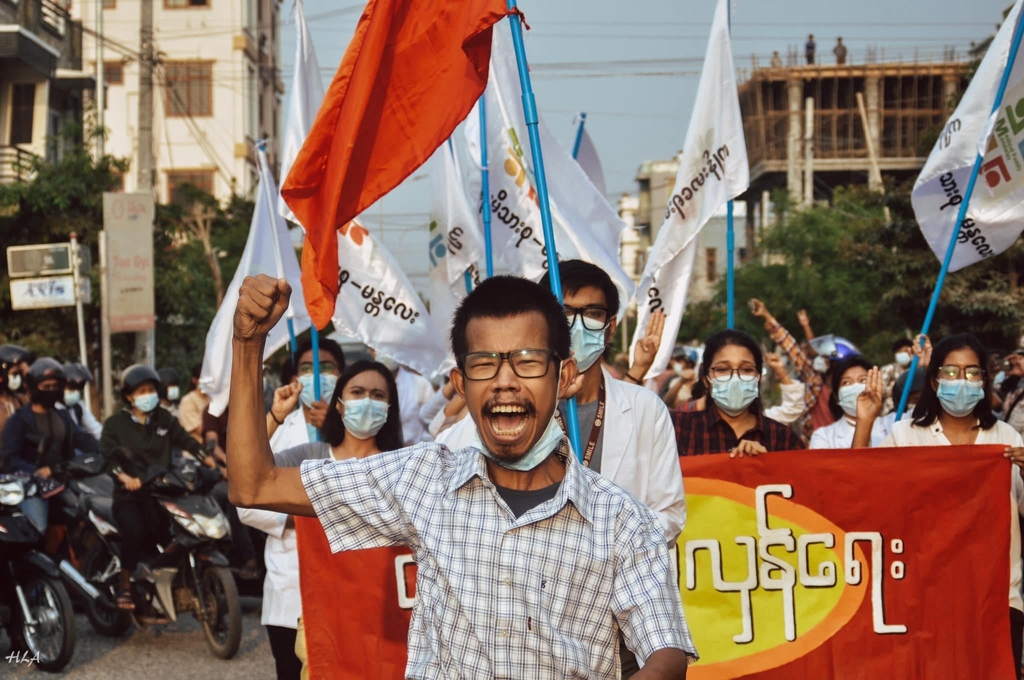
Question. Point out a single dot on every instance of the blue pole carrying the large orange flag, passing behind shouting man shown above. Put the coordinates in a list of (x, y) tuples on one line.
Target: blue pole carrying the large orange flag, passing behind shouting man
[(533, 125)]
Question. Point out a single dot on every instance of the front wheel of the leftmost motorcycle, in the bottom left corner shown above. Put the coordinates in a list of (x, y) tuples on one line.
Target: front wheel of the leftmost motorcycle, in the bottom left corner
[(53, 640)]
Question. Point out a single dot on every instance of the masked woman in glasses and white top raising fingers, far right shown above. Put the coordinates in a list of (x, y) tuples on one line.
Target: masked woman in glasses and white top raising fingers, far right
[(955, 409)]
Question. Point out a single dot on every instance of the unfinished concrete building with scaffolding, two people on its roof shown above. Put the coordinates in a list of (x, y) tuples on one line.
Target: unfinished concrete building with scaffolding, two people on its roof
[(805, 125)]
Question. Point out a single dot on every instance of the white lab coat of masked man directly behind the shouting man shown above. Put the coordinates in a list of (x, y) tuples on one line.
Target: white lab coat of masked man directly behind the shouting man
[(639, 451)]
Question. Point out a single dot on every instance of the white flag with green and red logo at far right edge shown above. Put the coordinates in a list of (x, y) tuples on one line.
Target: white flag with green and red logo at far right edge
[(996, 216)]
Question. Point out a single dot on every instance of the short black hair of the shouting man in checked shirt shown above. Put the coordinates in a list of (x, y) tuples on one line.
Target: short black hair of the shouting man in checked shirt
[(501, 297)]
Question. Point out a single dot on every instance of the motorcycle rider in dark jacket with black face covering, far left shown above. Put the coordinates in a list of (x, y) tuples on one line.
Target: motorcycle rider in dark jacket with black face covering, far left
[(39, 440)]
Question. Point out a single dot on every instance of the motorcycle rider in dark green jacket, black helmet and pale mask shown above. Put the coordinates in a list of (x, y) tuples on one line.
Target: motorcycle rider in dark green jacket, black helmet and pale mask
[(140, 436)]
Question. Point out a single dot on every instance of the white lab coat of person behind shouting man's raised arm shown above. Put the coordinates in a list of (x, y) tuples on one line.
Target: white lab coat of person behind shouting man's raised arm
[(282, 599)]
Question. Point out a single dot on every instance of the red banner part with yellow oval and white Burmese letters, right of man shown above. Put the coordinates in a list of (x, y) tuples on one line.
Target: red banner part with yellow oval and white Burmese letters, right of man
[(886, 564)]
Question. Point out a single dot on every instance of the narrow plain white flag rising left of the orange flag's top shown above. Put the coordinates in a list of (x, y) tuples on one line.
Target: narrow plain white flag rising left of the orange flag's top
[(308, 94)]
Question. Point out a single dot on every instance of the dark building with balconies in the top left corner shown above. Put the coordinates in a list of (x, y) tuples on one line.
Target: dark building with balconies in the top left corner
[(41, 82)]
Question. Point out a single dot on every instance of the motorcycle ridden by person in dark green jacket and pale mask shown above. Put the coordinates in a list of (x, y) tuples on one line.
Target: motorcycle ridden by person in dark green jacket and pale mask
[(190, 575)]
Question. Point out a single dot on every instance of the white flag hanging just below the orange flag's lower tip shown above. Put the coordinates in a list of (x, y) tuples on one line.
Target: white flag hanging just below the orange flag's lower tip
[(378, 306)]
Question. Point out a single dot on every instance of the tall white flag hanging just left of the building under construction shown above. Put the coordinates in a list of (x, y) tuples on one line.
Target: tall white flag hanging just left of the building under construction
[(713, 171)]
